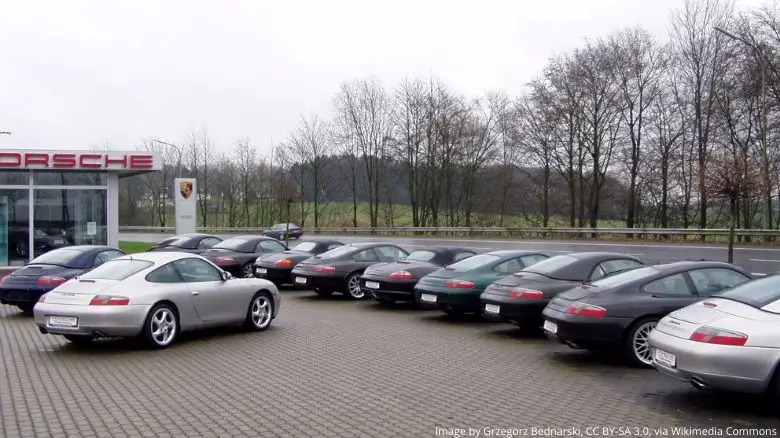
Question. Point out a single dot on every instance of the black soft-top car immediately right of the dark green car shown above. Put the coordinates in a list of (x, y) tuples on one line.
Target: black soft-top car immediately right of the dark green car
[(521, 297)]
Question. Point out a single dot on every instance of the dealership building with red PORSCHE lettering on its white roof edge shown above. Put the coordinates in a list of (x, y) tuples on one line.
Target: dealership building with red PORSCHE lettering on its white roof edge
[(50, 199)]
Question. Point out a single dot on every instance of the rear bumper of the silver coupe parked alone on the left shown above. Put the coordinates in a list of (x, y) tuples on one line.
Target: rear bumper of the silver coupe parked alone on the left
[(110, 321)]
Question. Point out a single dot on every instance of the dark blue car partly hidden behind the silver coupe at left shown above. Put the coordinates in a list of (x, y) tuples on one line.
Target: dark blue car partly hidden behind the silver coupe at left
[(23, 287)]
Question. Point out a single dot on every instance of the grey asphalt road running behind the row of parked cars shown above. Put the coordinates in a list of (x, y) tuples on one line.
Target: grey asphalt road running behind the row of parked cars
[(757, 260)]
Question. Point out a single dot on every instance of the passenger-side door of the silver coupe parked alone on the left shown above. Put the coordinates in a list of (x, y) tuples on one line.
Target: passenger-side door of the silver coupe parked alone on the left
[(211, 295)]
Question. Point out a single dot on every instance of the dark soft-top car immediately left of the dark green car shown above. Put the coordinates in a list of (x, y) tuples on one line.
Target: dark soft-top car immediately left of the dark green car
[(390, 282)]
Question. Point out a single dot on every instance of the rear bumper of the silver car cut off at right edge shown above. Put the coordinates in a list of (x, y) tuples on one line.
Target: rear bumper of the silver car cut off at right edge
[(725, 367)]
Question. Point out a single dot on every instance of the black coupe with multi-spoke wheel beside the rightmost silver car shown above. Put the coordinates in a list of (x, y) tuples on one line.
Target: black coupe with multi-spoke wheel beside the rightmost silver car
[(620, 311)]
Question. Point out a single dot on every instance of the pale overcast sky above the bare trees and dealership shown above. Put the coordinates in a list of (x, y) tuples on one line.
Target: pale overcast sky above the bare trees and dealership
[(77, 73)]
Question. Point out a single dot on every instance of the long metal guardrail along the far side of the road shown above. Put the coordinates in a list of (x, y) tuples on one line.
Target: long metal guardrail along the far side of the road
[(646, 233)]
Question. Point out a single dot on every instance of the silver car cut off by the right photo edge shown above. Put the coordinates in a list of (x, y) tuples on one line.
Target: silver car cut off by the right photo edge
[(729, 341)]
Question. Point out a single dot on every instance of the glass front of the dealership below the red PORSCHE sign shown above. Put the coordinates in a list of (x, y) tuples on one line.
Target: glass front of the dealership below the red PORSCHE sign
[(66, 208)]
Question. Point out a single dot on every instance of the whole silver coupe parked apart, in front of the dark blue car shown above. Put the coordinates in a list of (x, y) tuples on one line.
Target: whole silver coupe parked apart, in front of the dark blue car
[(155, 296)]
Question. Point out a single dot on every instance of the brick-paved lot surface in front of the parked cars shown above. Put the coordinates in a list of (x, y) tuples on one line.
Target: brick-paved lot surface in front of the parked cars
[(335, 368)]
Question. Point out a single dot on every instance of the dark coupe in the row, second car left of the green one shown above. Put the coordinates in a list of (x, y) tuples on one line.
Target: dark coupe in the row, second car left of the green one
[(339, 270)]
